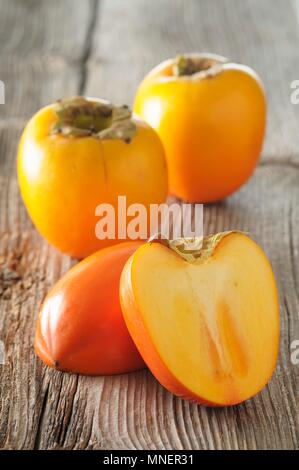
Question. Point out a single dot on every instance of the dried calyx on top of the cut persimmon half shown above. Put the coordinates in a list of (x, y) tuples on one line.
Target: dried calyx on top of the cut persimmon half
[(194, 249)]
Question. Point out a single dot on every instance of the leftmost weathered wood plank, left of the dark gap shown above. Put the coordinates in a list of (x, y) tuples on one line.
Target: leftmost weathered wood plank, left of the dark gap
[(41, 60)]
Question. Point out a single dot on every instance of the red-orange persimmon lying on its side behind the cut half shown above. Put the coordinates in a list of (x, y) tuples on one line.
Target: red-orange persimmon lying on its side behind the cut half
[(80, 327)]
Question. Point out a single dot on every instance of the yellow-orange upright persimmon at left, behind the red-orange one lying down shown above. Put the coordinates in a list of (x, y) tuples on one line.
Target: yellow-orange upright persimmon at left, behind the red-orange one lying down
[(79, 153)]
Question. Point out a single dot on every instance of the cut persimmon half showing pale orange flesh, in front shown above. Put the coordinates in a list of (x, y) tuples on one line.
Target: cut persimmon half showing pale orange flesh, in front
[(206, 322)]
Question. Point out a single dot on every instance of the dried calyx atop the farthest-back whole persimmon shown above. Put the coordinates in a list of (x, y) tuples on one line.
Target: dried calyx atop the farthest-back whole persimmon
[(196, 66)]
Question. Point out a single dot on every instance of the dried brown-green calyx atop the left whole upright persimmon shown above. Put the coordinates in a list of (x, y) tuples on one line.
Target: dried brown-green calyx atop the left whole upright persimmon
[(79, 117)]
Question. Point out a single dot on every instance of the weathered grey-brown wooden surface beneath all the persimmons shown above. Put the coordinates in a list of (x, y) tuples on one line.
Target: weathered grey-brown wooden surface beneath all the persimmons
[(65, 47)]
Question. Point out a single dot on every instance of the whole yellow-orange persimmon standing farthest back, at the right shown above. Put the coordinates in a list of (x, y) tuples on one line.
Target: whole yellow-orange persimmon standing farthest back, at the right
[(210, 115)]
